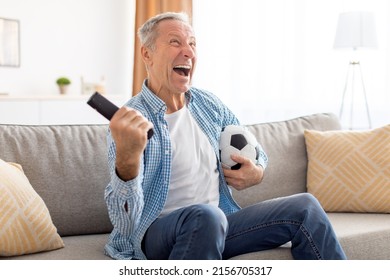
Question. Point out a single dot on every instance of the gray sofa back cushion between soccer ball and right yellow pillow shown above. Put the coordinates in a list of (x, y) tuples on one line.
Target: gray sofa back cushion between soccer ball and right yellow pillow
[(284, 144)]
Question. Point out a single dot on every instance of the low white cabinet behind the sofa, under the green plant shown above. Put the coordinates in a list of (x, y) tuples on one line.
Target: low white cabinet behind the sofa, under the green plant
[(52, 110)]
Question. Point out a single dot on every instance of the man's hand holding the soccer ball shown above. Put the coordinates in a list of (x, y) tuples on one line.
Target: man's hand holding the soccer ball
[(248, 175)]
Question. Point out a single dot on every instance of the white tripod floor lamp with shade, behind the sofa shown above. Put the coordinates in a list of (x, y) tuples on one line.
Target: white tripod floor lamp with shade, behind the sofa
[(355, 30)]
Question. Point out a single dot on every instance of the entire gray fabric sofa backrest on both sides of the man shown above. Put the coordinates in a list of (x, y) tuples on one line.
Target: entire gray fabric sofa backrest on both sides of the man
[(67, 166)]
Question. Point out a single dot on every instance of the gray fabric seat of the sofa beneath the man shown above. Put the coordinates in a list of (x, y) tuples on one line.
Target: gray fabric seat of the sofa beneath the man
[(358, 233)]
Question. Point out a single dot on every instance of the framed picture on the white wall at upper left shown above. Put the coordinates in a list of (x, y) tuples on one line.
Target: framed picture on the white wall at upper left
[(9, 42)]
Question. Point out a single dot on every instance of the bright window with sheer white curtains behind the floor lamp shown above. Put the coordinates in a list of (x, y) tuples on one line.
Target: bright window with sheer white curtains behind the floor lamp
[(269, 60)]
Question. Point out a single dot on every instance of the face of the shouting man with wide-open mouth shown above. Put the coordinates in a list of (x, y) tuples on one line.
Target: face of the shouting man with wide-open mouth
[(172, 62)]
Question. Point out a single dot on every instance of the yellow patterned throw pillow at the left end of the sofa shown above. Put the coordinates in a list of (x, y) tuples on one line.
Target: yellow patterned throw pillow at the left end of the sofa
[(25, 223)]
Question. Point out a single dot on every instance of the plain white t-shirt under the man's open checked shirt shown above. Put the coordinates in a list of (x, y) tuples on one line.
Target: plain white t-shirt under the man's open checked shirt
[(194, 175)]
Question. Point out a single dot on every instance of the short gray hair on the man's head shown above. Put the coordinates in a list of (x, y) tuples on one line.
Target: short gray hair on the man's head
[(148, 33)]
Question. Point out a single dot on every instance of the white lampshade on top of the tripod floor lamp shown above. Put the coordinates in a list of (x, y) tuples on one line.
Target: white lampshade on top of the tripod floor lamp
[(356, 30)]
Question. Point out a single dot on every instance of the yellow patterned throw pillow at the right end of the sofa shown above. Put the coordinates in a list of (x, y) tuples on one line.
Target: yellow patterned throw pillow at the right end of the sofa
[(349, 171)]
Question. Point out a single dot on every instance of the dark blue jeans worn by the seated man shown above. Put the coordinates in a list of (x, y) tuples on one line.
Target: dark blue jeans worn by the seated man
[(204, 232)]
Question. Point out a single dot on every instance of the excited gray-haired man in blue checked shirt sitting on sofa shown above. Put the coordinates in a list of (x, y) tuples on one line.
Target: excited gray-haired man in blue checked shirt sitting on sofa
[(168, 197)]
